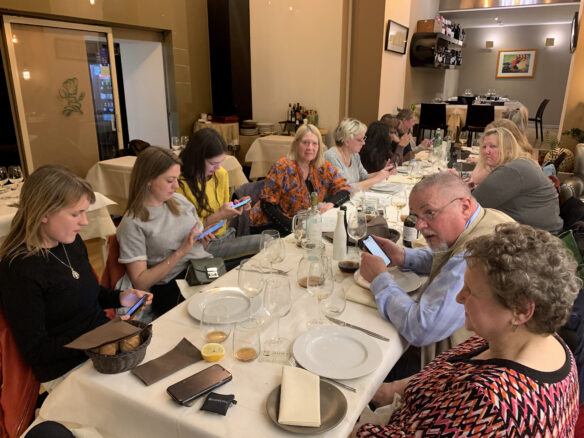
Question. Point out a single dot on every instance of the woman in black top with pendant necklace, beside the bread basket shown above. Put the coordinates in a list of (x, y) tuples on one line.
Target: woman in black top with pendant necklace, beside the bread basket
[(49, 293)]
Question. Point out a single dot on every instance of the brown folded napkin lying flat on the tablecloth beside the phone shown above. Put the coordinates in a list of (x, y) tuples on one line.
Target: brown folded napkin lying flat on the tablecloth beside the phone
[(176, 359)]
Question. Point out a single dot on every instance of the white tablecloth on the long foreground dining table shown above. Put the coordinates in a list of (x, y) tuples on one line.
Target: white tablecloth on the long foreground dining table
[(121, 406)]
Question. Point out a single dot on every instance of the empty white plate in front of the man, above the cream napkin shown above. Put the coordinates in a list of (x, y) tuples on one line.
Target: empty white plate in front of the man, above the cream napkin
[(337, 352)]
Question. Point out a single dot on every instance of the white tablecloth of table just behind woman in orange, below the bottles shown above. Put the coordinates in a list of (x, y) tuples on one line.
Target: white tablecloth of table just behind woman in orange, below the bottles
[(265, 151)]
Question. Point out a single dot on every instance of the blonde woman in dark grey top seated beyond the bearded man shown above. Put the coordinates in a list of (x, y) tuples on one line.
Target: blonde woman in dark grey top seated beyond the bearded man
[(516, 185)]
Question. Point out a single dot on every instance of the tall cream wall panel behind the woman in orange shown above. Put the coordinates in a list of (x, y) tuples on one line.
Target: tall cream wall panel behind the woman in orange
[(296, 57)]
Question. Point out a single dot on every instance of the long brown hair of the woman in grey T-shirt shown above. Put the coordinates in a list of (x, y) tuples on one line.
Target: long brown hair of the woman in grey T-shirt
[(150, 164)]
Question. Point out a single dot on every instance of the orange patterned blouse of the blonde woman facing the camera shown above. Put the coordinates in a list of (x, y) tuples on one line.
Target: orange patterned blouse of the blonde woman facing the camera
[(285, 188)]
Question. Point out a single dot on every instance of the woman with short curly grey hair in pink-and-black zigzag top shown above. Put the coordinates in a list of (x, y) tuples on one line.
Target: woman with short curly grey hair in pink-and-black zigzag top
[(517, 378)]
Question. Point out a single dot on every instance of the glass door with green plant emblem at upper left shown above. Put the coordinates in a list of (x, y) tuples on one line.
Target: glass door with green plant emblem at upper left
[(65, 92)]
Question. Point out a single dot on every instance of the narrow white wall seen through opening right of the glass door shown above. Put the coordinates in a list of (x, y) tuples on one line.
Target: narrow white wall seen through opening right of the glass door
[(143, 73)]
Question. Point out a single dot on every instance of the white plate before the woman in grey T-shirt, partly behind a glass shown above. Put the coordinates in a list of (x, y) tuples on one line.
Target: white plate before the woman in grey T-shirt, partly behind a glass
[(236, 303)]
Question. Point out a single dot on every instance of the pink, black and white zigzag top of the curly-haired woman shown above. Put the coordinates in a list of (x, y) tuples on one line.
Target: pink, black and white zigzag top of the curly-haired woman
[(455, 396)]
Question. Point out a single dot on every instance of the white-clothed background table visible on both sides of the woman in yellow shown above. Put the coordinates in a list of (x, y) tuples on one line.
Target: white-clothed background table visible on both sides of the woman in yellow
[(112, 178)]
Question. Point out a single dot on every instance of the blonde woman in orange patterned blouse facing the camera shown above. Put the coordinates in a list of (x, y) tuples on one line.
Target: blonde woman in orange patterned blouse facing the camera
[(291, 180)]
